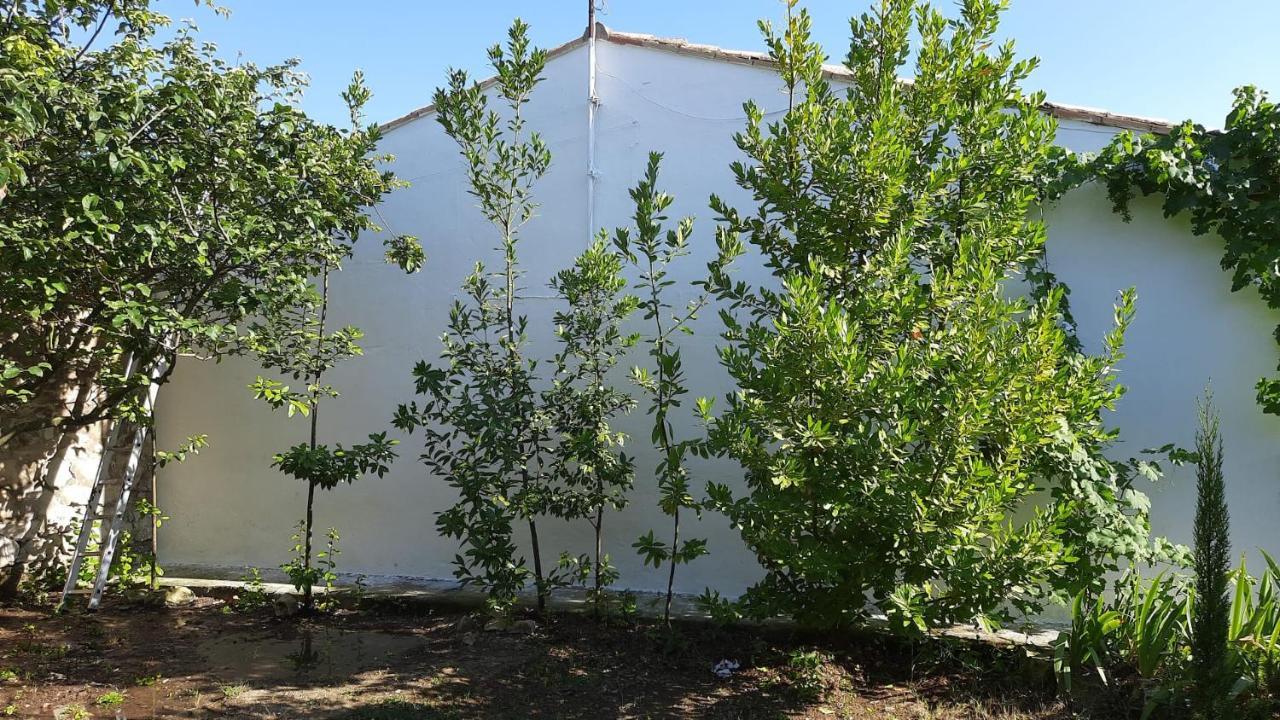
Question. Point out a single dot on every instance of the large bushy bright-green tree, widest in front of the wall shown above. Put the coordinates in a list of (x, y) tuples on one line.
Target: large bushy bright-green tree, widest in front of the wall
[(898, 404)]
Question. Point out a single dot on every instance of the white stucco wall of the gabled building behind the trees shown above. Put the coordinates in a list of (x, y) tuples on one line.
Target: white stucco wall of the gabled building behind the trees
[(231, 511)]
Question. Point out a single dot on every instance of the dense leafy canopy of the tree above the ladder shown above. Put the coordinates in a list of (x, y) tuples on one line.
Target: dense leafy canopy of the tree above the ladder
[(150, 192)]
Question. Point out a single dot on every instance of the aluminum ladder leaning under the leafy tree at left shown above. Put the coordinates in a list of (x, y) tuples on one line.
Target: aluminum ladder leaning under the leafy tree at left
[(103, 480)]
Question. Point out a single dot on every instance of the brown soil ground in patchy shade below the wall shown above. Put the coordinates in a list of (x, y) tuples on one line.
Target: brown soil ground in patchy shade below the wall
[(209, 660)]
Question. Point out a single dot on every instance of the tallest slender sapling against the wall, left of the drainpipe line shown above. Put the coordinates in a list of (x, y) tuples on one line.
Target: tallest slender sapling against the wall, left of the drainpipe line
[(486, 431)]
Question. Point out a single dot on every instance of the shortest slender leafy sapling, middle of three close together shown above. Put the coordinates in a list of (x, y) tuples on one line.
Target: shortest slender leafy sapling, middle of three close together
[(592, 475)]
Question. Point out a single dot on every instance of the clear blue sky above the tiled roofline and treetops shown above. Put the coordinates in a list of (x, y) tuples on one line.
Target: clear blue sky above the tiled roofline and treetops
[(1171, 60)]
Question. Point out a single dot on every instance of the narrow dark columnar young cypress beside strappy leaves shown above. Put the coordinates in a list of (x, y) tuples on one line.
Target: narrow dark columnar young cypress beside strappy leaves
[(1212, 608)]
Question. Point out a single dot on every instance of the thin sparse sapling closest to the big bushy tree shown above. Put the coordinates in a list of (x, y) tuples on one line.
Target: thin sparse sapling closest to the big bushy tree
[(652, 249)]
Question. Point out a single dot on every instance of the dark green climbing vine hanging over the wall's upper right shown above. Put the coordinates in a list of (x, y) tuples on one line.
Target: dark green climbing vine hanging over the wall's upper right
[(1228, 183)]
